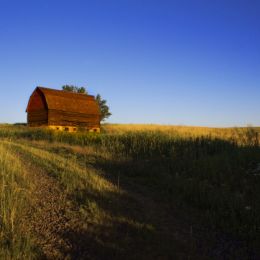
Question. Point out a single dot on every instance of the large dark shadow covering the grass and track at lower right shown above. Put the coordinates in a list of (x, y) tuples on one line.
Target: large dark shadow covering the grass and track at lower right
[(198, 197)]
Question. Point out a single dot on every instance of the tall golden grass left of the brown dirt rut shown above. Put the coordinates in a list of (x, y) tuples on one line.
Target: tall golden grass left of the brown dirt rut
[(14, 201)]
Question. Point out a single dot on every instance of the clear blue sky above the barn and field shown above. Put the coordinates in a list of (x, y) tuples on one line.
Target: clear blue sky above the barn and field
[(168, 62)]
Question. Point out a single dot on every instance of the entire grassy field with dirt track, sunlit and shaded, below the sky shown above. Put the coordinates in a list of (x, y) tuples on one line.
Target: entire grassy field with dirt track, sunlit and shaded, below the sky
[(133, 192)]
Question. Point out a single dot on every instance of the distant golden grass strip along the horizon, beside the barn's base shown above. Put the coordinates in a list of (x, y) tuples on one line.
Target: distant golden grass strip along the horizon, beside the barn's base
[(115, 133)]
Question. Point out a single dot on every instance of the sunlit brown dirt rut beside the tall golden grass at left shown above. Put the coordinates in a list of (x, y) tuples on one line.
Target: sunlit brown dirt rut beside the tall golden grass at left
[(47, 220)]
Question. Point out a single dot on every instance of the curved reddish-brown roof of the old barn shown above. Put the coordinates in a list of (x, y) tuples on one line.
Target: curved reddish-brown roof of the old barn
[(69, 101)]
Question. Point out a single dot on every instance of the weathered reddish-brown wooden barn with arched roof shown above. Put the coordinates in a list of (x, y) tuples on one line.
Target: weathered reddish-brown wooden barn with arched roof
[(63, 110)]
